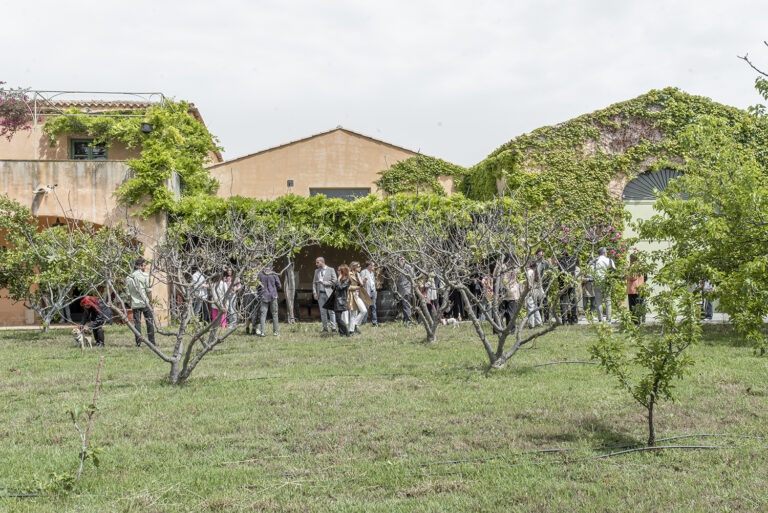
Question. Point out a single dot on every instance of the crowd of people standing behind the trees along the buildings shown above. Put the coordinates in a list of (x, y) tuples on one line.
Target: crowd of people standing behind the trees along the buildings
[(347, 296)]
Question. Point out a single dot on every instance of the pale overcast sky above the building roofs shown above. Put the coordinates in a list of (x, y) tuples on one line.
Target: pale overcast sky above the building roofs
[(452, 79)]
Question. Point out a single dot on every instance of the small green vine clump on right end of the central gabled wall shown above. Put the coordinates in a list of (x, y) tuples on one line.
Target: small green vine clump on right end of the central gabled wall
[(418, 174)]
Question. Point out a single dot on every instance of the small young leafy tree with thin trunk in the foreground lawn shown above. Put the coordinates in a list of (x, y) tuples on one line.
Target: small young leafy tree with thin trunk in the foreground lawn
[(647, 363)]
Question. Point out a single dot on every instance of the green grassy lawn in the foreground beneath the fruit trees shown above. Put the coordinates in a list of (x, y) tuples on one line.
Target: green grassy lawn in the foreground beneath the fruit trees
[(379, 422)]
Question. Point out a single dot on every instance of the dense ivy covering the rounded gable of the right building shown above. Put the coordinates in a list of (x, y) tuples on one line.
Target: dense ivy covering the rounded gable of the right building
[(574, 162)]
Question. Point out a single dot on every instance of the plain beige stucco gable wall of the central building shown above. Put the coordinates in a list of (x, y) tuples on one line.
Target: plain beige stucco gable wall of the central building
[(336, 159)]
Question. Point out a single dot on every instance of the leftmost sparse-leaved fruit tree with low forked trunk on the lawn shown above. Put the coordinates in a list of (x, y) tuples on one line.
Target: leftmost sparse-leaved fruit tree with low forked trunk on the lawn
[(229, 255)]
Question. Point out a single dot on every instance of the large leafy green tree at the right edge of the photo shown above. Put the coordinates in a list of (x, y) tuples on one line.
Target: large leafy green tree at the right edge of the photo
[(716, 217)]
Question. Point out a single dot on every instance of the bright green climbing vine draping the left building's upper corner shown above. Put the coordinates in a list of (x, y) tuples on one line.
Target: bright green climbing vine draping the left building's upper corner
[(177, 145)]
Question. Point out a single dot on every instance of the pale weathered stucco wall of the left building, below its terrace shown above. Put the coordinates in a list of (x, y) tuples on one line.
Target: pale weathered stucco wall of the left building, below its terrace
[(86, 192)]
